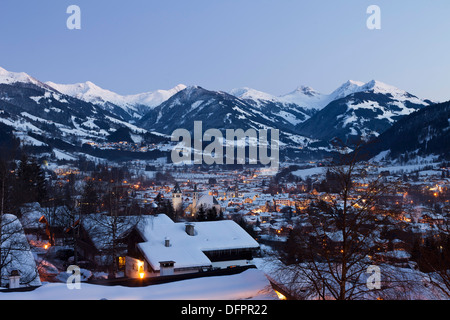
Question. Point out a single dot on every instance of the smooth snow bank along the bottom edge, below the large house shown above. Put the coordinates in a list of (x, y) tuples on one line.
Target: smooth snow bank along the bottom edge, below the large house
[(250, 284)]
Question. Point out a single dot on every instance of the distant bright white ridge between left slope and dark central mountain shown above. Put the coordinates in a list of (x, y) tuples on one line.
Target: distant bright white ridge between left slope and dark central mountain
[(134, 105)]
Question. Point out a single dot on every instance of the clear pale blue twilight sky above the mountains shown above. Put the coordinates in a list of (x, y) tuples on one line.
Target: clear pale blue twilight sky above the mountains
[(273, 46)]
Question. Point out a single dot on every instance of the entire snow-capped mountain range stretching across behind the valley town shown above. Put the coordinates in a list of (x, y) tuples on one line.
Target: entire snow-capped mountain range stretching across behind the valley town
[(70, 116)]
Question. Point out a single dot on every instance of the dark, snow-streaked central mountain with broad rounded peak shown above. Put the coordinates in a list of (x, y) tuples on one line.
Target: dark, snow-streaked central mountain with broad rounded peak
[(221, 110)]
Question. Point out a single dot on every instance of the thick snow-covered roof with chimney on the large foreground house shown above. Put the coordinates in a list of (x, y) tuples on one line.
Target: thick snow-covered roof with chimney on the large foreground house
[(185, 250)]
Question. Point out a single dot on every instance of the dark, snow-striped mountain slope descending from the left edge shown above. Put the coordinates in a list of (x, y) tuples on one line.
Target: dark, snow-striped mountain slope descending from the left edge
[(43, 117)]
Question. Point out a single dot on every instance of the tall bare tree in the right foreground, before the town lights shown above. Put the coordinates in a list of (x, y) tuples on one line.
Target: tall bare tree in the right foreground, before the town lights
[(343, 231)]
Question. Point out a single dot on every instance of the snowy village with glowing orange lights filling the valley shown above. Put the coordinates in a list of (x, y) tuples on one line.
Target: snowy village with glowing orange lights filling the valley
[(143, 224)]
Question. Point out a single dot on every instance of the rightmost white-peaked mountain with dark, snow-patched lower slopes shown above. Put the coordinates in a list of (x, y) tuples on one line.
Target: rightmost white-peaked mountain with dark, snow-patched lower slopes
[(361, 110)]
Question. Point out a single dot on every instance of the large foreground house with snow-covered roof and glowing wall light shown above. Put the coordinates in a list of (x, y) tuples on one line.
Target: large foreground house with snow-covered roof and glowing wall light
[(158, 247)]
